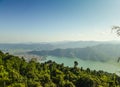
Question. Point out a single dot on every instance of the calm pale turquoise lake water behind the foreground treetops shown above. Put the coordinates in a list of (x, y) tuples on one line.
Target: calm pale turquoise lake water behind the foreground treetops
[(111, 66)]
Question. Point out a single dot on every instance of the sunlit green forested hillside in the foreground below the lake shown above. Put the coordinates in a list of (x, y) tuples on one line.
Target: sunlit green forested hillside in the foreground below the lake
[(16, 72)]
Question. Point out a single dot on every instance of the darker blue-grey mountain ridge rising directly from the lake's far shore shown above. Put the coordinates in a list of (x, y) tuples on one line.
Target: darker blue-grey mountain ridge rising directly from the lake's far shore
[(103, 52)]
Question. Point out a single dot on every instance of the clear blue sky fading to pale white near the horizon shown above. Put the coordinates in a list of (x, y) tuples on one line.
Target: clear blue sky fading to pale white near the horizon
[(58, 20)]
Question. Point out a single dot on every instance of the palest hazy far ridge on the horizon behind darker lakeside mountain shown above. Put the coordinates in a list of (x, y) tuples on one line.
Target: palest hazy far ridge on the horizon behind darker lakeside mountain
[(80, 44)]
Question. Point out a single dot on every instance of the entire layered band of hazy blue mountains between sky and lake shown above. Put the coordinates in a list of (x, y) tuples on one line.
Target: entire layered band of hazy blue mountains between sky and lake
[(93, 50)]
